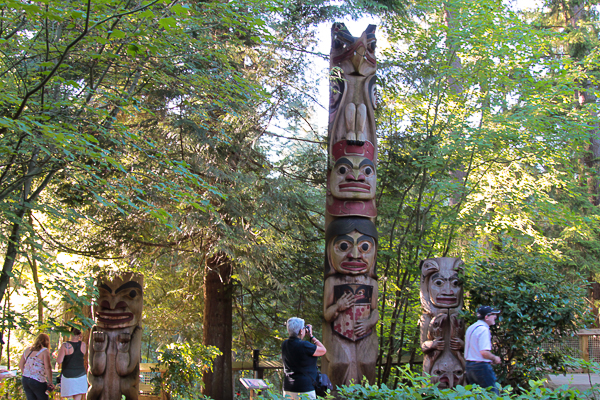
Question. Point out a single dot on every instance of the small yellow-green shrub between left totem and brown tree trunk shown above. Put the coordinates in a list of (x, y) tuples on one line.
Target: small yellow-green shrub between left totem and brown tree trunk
[(182, 366)]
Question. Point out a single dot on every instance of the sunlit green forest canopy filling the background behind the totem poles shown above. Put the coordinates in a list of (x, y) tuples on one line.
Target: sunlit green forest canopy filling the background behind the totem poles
[(181, 139)]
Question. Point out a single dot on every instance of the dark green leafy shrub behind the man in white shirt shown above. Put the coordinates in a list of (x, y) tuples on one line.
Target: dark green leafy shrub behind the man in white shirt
[(539, 307)]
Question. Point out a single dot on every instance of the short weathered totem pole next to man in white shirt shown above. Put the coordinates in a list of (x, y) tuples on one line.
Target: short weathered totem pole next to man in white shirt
[(442, 331)]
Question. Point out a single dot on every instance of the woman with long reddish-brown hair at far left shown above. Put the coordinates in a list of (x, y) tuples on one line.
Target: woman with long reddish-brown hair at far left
[(36, 370)]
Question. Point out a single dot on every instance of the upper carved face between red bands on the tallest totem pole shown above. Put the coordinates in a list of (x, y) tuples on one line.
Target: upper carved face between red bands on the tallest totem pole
[(353, 178)]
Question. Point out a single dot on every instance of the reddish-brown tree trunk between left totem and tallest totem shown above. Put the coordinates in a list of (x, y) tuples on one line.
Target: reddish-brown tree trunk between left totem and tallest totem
[(218, 305)]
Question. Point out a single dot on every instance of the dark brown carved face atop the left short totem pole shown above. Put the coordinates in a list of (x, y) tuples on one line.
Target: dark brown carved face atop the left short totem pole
[(119, 303)]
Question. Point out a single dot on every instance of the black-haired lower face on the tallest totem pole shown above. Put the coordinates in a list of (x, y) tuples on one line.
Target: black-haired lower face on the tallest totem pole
[(353, 253)]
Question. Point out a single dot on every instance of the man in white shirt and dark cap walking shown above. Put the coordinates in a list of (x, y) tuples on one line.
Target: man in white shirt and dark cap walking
[(478, 346)]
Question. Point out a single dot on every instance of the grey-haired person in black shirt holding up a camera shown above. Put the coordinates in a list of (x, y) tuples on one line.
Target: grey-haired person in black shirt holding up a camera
[(300, 360)]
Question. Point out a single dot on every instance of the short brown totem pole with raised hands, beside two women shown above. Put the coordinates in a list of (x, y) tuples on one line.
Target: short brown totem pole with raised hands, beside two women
[(116, 339)]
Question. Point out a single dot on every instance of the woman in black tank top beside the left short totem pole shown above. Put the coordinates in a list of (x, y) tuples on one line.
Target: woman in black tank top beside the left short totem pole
[(74, 379)]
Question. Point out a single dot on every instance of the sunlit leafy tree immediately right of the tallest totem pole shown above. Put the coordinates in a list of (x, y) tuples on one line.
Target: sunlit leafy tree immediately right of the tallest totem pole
[(468, 171)]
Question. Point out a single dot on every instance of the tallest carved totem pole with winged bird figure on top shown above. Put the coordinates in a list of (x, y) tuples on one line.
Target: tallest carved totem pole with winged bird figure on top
[(350, 292)]
